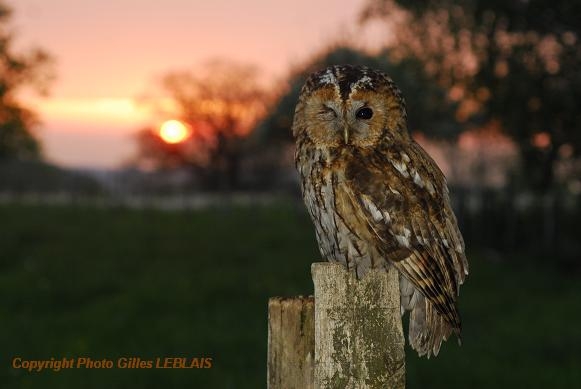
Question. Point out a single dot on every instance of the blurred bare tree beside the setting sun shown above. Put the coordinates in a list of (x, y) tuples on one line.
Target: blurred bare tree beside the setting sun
[(221, 104)]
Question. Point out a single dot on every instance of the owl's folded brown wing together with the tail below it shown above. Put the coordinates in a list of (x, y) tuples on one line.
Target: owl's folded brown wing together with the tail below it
[(402, 198)]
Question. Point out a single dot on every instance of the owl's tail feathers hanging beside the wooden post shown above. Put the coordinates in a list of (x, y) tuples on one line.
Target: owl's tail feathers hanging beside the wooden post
[(427, 328)]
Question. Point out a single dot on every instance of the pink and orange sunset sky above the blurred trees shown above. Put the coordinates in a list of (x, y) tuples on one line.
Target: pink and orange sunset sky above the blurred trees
[(108, 53)]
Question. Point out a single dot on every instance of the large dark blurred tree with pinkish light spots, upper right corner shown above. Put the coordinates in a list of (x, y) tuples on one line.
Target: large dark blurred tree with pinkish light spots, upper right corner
[(514, 61)]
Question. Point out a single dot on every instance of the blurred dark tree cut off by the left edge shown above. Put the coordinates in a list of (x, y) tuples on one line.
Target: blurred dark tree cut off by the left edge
[(17, 70)]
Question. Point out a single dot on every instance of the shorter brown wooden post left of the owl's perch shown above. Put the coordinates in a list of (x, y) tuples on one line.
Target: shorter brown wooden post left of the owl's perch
[(291, 342)]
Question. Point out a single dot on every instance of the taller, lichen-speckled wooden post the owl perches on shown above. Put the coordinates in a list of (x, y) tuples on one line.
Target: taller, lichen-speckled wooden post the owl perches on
[(358, 332)]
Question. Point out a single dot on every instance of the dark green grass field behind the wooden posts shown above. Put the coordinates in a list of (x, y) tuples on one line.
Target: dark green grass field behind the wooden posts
[(107, 283)]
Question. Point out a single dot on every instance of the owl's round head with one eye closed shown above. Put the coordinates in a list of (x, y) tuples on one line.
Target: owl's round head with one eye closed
[(350, 106)]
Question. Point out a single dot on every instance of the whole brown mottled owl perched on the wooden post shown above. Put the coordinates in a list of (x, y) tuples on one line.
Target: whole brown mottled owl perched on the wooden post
[(376, 197)]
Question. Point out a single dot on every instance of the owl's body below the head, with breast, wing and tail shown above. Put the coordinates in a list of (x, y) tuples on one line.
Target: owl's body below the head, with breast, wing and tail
[(394, 204)]
